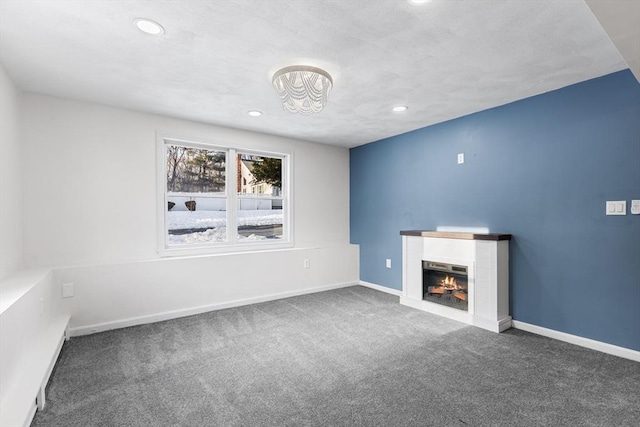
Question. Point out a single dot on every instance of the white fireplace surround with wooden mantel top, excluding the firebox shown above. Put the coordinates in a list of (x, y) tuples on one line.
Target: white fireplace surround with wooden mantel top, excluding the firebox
[(486, 257)]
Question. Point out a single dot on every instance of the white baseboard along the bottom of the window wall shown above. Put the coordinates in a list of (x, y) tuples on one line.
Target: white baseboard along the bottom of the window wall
[(174, 314)]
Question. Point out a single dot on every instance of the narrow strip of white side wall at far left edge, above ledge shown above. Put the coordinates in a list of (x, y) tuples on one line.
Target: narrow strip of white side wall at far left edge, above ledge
[(10, 183)]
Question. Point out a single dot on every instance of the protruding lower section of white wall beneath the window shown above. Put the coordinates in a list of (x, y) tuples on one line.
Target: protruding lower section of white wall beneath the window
[(117, 295)]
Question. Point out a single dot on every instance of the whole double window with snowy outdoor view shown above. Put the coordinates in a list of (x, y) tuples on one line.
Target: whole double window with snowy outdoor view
[(221, 198)]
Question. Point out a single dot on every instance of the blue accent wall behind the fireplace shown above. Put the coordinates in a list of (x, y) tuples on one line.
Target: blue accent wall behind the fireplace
[(540, 169)]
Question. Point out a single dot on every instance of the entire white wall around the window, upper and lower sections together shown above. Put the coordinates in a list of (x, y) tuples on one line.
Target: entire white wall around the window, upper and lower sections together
[(89, 212)]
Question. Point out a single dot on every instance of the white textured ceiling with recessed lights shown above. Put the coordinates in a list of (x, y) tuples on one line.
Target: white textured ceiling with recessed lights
[(443, 59)]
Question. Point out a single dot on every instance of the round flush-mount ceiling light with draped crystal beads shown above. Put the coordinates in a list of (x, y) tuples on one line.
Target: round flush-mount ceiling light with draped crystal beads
[(302, 89)]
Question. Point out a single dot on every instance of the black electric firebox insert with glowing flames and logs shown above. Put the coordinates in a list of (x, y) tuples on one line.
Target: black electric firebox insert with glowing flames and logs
[(445, 284)]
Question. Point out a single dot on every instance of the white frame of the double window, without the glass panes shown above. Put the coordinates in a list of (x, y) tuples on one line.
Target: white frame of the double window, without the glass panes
[(232, 244)]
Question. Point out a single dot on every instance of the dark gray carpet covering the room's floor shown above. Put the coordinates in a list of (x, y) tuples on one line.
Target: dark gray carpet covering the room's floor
[(349, 357)]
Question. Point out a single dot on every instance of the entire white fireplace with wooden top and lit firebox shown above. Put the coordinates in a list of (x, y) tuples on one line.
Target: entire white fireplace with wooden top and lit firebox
[(462, 275)]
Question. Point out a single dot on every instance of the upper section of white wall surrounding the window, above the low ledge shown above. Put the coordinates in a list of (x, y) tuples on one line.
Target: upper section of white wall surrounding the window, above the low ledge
[(89, 175)]
